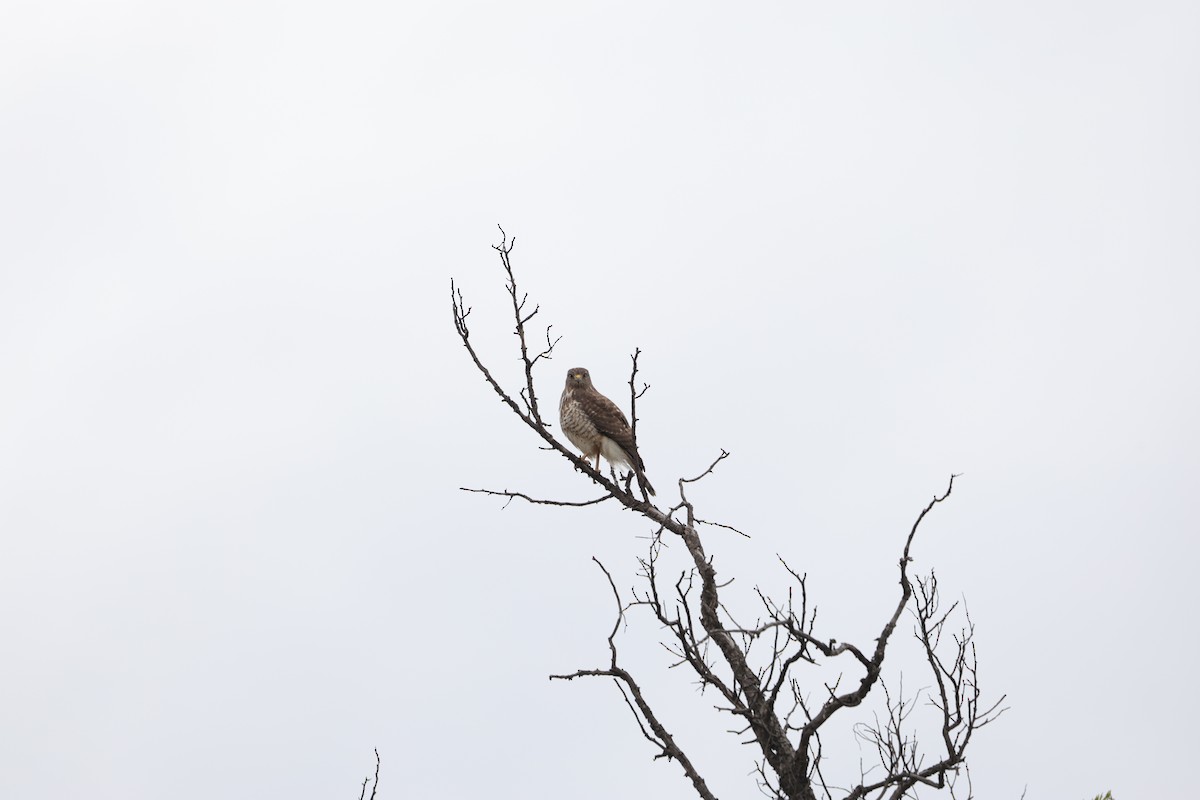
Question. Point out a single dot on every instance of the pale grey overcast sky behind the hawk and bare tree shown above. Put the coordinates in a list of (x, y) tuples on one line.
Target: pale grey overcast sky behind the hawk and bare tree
[(862, 246)]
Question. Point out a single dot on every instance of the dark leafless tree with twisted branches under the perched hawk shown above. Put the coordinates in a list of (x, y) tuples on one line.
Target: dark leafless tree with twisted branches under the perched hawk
[(760, 685)]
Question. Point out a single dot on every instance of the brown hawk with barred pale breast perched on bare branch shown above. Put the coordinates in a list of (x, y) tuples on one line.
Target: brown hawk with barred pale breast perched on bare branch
[(596, 425)]
